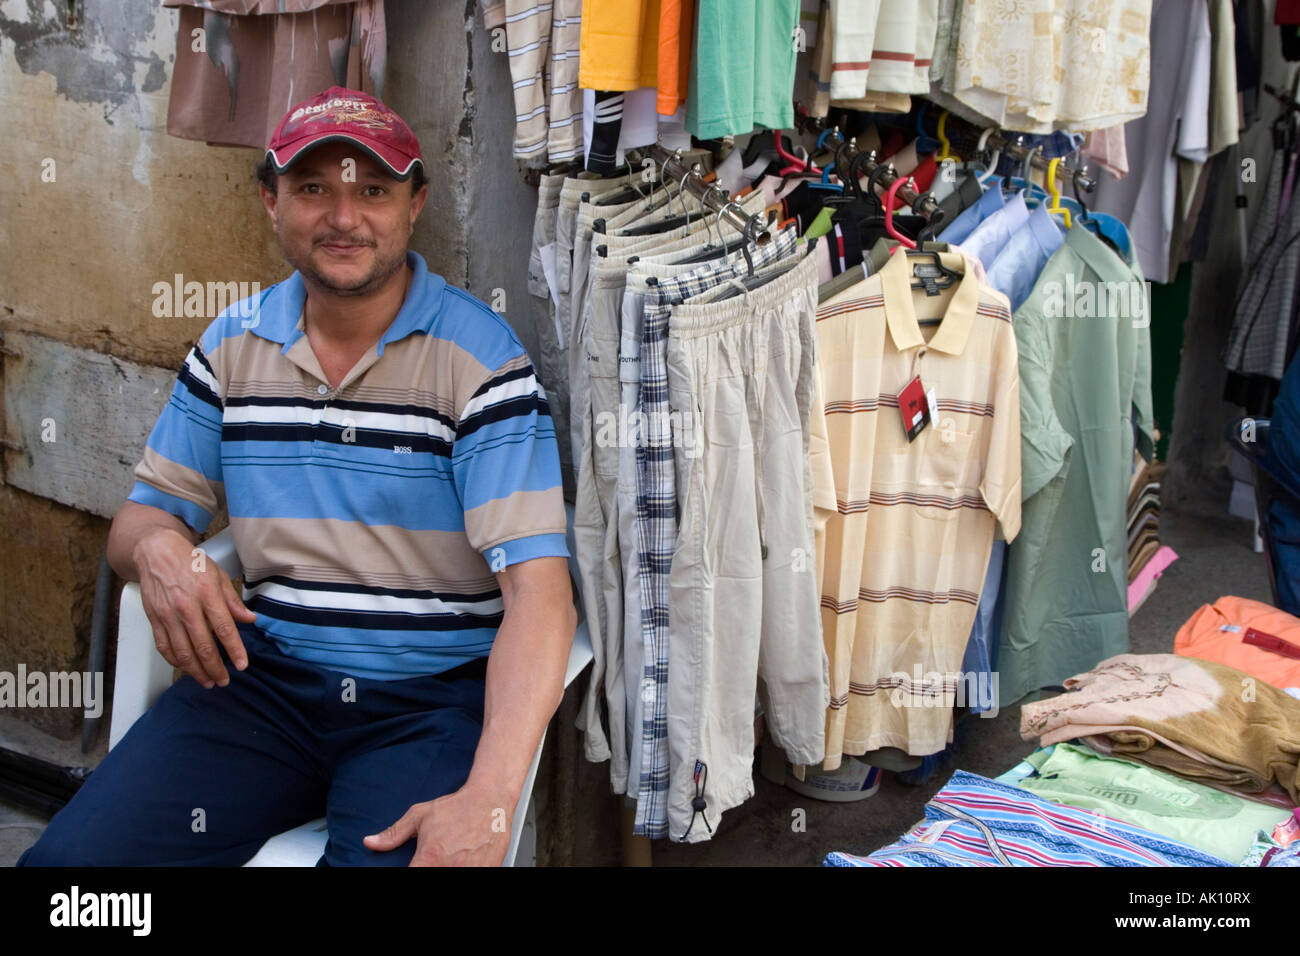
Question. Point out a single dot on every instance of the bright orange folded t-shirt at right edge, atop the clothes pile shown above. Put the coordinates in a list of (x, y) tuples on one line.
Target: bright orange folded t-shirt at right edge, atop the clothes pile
[(1216, 630)]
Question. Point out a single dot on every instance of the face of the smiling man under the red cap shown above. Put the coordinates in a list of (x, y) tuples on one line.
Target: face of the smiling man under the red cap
[(343, 220)]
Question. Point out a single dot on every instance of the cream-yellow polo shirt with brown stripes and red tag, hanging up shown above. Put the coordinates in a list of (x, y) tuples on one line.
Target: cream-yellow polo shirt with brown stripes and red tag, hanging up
[(905, 529)]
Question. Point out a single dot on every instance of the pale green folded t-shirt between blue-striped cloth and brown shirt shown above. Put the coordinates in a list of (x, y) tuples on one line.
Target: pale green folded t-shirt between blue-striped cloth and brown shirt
[(1203, 817)]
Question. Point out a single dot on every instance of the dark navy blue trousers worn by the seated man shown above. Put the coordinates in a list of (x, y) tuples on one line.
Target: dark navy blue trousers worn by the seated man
[(206, 777)]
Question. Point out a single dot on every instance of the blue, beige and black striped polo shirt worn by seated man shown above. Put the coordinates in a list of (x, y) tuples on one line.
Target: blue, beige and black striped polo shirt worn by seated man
[(371, 518)]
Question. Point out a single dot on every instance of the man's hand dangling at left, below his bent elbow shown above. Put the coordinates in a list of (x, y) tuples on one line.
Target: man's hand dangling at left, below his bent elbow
[(192, 604)]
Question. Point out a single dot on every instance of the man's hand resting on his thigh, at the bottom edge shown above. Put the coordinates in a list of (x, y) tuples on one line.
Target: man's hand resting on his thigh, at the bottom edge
[(462, 829)]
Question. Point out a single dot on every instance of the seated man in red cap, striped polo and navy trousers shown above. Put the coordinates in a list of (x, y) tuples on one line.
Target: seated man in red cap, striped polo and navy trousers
[(389, 466)]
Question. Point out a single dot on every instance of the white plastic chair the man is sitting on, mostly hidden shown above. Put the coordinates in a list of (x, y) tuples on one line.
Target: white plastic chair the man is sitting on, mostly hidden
[(142, 676)]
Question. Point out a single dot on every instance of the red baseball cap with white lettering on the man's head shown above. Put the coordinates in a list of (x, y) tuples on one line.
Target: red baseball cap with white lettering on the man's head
[(343, 115)]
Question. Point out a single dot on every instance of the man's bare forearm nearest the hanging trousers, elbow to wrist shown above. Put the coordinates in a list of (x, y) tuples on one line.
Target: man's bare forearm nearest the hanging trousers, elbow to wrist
[(526, 684)]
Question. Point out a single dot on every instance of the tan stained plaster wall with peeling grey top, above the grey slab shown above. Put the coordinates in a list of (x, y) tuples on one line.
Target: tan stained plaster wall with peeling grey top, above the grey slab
[(129, 206)]
